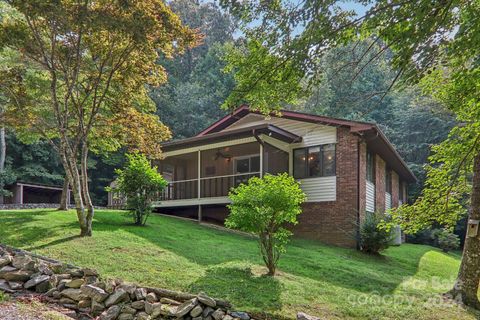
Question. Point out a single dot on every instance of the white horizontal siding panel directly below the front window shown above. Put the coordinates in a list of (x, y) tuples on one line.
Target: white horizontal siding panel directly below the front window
[(319, 189)]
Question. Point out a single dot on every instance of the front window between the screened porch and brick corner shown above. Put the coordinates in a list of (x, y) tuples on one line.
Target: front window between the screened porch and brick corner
[(318, 161)]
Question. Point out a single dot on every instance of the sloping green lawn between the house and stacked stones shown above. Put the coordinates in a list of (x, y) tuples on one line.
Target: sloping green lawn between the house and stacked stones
[(330, 282)]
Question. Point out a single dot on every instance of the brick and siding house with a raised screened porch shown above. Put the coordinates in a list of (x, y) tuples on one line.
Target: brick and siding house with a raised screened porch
[(346, 168)]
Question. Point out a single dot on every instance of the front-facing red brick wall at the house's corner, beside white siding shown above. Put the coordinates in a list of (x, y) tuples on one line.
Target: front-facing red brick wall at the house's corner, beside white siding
[(334, 222)]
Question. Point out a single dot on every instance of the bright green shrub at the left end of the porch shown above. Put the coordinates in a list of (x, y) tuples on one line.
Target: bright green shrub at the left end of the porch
[(140, 183)]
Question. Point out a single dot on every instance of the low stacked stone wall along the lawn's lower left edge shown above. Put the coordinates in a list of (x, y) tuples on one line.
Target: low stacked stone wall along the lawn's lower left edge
[(83, 291)]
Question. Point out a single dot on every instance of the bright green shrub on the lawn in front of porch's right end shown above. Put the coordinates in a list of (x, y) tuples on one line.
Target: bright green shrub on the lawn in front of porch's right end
[(264, 206)]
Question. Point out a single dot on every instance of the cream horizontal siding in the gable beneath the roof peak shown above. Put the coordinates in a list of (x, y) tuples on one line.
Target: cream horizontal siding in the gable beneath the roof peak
[(311, 133)]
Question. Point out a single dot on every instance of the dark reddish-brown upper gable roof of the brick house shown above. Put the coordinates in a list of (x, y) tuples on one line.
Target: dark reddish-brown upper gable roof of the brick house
[(376, 141)]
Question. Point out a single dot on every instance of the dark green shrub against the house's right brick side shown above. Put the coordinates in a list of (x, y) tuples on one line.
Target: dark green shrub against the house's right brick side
[(373, 238)]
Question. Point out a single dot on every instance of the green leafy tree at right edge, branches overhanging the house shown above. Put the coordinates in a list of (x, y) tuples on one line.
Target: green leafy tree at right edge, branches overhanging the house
[(434, 42)]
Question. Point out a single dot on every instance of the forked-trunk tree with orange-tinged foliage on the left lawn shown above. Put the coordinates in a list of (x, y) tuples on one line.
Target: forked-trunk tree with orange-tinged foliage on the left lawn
[(86, 90)]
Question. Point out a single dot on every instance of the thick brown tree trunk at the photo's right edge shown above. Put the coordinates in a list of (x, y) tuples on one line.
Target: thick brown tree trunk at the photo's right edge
[(468, 280)]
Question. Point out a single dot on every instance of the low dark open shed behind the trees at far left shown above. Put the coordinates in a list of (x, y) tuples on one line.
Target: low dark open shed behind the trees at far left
[(33, 193)]
